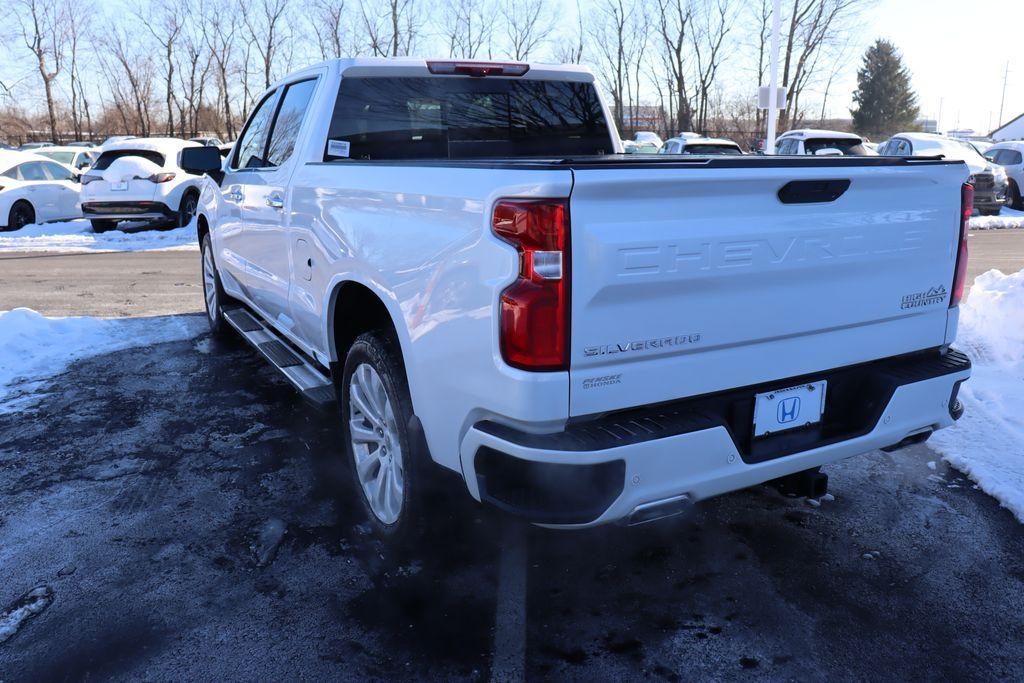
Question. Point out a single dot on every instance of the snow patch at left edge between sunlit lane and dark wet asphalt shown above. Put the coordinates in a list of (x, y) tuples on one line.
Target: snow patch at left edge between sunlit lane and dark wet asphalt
[(33, 347)]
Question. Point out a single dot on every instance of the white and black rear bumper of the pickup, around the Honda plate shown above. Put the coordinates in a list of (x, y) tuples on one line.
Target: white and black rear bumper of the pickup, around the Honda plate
[(630, 465)]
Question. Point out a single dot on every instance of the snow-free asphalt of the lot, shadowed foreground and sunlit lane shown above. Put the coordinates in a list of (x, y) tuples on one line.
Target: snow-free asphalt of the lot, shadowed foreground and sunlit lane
[(184, 516)]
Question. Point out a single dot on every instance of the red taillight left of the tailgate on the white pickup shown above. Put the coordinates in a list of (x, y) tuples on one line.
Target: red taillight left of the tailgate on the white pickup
[(535, 310)]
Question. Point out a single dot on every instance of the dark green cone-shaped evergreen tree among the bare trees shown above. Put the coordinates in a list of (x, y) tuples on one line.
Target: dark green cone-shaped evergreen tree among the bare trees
[(885, 103)]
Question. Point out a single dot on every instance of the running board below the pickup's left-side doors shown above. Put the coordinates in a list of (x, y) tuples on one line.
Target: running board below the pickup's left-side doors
[(307, 377)]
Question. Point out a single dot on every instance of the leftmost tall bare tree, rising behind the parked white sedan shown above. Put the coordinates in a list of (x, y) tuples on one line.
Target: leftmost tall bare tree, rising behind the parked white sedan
[(45, 27)]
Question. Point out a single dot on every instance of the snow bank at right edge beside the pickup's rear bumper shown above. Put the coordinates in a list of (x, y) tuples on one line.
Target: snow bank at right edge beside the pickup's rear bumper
[(988, 444)]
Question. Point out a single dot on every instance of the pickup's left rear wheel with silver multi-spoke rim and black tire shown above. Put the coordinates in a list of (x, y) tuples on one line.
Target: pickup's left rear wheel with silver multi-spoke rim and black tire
[(382, 453)]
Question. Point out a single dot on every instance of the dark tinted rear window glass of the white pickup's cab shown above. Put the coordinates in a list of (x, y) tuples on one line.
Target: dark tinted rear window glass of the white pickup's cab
[(465, 118)]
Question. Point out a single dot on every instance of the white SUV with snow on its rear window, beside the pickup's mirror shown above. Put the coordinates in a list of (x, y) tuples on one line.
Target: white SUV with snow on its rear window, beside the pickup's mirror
[(141, 180)]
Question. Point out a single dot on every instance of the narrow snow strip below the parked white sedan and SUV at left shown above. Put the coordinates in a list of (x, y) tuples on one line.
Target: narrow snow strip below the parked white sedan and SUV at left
[(77, 236)]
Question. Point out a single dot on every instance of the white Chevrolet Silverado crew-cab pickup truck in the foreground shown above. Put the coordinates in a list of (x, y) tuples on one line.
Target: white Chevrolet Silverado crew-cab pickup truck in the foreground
[(458, 254)]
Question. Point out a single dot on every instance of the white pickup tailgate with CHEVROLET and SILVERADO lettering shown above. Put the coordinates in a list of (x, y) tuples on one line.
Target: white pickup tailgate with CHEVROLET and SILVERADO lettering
[(691, 280)]
